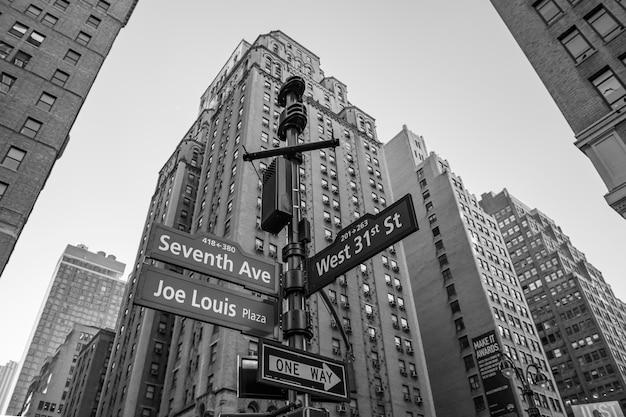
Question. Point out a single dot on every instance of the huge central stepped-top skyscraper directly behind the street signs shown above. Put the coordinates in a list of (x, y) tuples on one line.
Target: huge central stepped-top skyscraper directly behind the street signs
[(239, 113)]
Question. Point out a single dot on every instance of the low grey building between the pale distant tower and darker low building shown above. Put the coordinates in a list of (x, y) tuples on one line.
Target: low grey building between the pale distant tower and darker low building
[(47, 393)]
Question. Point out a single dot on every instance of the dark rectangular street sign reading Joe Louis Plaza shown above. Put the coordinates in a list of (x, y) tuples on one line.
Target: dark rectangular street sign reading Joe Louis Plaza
[(166, 291)]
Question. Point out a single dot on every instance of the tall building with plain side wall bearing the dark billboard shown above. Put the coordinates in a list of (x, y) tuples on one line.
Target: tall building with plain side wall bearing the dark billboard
[(469, 302)]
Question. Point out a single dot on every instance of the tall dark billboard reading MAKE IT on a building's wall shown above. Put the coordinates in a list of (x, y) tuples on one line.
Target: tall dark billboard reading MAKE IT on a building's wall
[(498, 388)]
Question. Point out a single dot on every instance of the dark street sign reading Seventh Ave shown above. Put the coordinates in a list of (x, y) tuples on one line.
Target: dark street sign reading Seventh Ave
[(214, 256)]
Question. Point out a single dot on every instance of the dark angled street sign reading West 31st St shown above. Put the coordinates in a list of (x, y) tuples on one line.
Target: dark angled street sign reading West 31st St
[(361, 240)]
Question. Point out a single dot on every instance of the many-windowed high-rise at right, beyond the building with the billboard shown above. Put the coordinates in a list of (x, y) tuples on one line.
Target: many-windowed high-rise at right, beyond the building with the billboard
[(580, 321)]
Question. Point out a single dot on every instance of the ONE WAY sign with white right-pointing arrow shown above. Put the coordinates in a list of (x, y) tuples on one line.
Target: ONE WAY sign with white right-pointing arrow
[(302, 371)]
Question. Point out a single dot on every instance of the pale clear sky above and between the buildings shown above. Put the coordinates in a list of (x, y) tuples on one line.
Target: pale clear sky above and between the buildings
[(448, 69)]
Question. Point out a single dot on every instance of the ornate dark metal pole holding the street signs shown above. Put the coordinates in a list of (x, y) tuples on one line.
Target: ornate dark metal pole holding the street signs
[(293, 120)]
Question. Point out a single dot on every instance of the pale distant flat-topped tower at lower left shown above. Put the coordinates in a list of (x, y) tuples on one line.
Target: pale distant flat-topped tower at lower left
[(86, 288)]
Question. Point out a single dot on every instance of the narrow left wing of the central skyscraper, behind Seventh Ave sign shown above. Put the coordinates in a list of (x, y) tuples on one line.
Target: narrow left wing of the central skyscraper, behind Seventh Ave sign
[(143, 336)]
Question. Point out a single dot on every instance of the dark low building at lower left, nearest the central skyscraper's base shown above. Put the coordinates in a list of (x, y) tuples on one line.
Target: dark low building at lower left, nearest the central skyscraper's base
[(87, 381)]
